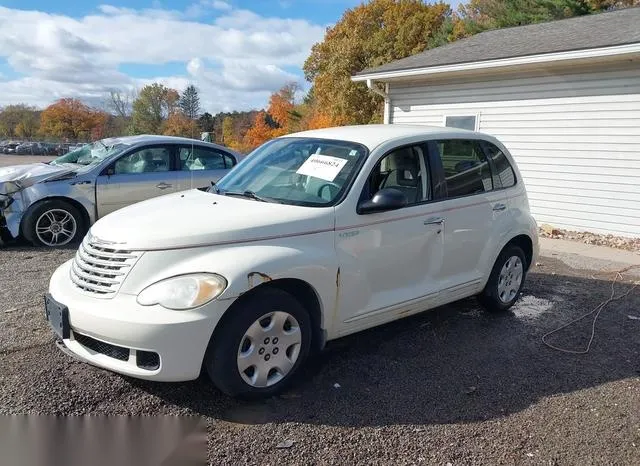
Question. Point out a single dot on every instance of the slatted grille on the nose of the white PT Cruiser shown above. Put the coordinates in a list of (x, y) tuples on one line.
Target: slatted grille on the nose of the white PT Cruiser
[(99, 269)]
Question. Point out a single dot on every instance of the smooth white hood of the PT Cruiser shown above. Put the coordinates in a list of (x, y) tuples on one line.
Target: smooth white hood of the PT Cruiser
[(196, 218)]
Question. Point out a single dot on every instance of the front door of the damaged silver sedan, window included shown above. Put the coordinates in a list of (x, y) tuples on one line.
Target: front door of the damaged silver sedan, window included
[(136, 176)]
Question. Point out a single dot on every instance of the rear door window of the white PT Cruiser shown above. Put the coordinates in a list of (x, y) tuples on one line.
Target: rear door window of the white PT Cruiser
[(466, 168)]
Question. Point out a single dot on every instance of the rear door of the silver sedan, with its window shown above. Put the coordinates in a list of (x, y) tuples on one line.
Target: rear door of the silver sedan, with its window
[(198, 166)]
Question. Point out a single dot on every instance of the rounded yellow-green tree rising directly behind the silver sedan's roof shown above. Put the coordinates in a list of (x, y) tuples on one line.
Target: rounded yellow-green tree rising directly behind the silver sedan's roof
[(154, 104)]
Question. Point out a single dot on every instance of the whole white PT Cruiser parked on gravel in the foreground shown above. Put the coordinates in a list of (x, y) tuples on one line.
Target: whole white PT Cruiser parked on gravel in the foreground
[(314, 236)]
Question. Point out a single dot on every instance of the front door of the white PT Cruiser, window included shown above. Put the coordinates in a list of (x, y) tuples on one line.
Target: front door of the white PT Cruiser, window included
[(389, 261)]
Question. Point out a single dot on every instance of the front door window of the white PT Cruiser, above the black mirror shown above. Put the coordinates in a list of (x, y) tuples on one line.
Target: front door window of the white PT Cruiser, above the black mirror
[(403, 169)]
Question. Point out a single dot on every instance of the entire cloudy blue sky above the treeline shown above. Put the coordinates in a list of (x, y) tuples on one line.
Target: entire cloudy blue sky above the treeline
[(236, 52)]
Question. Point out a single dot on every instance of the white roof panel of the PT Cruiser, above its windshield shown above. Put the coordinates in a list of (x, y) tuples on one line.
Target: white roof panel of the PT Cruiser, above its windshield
[(372, 136)]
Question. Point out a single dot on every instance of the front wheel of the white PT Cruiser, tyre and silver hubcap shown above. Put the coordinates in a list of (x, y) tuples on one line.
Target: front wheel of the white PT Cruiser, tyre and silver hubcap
[(259, 348)]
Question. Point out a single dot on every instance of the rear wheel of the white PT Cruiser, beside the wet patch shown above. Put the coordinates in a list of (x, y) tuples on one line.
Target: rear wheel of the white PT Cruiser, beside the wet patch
[(506, 280)]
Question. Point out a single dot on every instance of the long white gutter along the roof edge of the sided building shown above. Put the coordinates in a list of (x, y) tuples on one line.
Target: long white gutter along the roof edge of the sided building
[(602, 52)]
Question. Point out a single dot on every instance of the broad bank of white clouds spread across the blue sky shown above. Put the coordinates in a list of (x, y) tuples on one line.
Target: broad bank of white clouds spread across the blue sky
[(236, 61)]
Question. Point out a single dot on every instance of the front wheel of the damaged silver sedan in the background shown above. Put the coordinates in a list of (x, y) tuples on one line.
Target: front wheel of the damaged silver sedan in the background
[(53, 223)]
